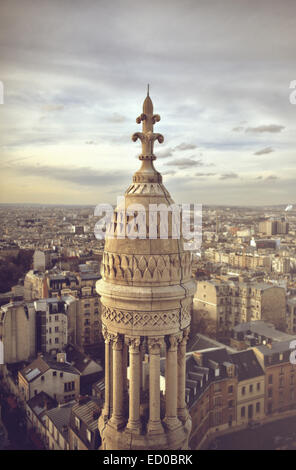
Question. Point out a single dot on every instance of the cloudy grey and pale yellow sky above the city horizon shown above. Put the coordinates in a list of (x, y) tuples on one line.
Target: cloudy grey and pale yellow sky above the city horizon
[(75, 76)]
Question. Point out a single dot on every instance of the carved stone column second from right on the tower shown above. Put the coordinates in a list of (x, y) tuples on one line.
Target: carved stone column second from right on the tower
[(171, 386)]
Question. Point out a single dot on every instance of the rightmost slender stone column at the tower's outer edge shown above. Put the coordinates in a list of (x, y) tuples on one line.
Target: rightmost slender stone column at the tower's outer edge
[(181, 403)]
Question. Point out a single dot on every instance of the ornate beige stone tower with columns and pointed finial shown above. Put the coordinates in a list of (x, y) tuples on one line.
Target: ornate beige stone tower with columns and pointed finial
[(146, 293)]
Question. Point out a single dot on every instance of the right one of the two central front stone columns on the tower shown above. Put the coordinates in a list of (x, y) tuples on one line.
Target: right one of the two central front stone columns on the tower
[(154, 423)]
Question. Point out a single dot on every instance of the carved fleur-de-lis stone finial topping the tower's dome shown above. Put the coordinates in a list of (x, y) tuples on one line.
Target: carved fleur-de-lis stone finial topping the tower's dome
[(147, 137)]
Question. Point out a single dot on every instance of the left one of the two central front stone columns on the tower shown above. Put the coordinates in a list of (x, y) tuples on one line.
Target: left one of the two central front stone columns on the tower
[(134, 383)]
